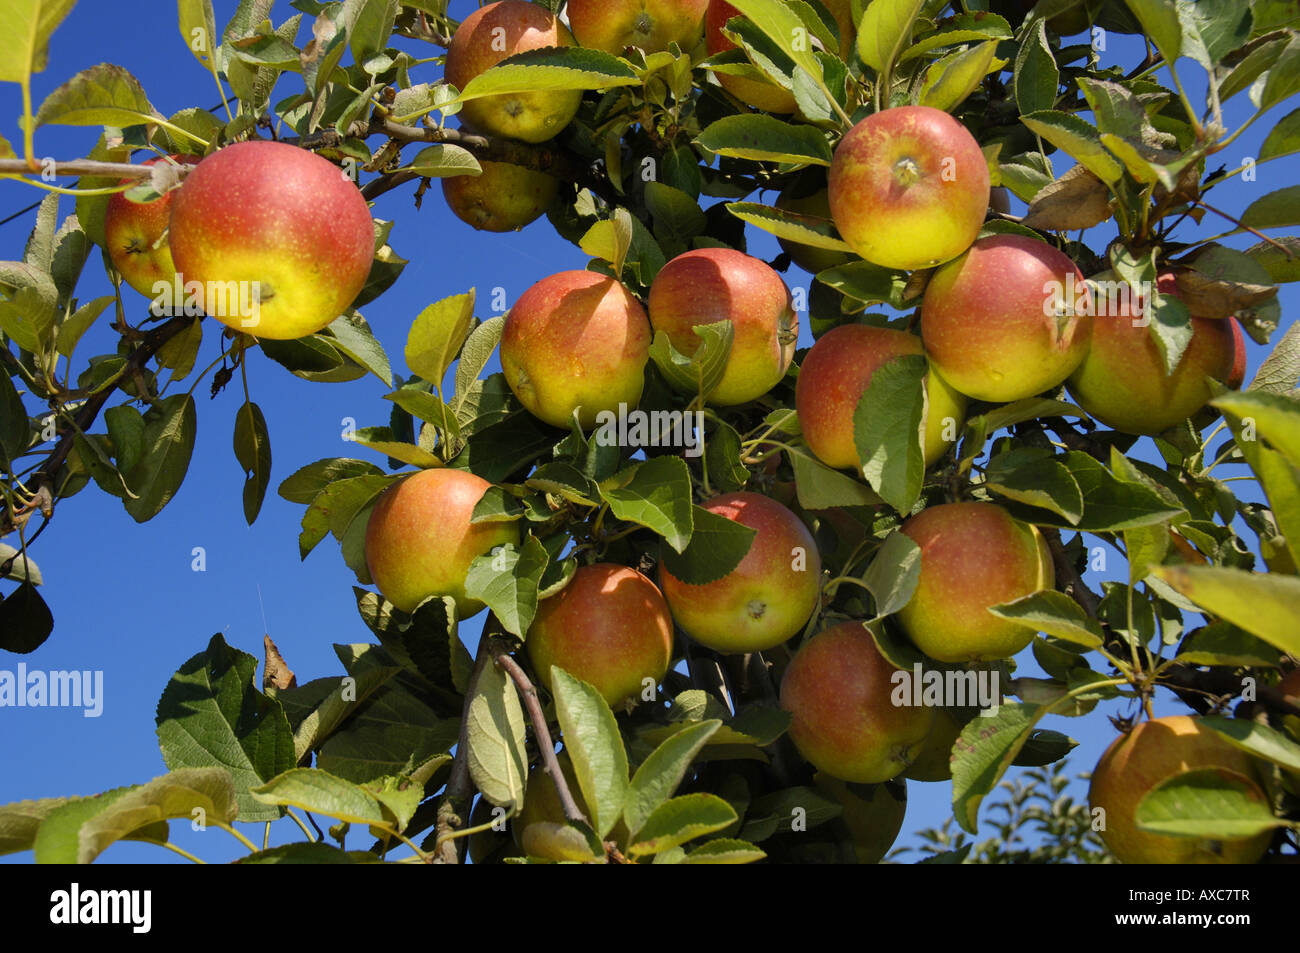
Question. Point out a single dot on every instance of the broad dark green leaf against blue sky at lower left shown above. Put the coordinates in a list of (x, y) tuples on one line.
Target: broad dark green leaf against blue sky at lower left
[(211, 714)]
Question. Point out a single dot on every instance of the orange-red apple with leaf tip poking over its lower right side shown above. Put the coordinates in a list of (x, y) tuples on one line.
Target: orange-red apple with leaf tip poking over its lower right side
[(973, 556)]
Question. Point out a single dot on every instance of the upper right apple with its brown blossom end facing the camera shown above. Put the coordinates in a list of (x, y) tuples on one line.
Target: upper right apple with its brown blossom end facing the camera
[(909, 188)]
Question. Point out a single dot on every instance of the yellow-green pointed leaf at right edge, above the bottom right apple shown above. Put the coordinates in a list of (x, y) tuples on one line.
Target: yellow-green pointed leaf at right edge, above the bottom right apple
[(1266, 605)]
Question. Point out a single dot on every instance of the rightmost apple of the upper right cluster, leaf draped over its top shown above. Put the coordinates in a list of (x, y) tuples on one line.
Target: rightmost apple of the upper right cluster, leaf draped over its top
[(1123, 380)]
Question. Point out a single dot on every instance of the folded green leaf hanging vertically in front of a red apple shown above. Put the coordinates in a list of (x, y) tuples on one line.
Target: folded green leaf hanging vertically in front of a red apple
[(887, 430)]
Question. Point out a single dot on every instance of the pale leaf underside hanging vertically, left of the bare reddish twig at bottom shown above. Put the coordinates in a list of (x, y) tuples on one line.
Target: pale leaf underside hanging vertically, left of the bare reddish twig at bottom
[(497, 740)]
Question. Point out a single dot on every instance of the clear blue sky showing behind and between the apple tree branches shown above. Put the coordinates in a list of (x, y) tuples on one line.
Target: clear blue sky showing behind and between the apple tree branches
[(124, 595)]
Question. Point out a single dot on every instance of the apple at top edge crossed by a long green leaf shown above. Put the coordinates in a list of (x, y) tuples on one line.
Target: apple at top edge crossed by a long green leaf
[(492, 34)]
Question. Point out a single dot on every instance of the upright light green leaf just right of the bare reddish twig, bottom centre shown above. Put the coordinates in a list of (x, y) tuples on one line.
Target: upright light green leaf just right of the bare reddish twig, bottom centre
[(596, 748)]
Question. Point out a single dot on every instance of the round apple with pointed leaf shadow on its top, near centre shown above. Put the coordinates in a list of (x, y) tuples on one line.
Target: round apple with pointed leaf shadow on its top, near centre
[(577, 341)]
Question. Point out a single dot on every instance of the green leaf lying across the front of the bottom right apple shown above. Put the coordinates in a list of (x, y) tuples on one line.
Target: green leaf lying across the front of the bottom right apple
[(1210, 805)]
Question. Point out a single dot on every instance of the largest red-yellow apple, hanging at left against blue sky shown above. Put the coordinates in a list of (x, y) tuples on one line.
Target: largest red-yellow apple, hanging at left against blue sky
[(281, 219)]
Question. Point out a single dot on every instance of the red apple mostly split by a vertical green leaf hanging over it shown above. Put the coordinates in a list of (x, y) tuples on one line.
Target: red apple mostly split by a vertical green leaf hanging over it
[(835, 375)]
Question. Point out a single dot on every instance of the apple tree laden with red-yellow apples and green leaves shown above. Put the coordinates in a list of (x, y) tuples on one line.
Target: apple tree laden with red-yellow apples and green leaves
[(673, 564)]
